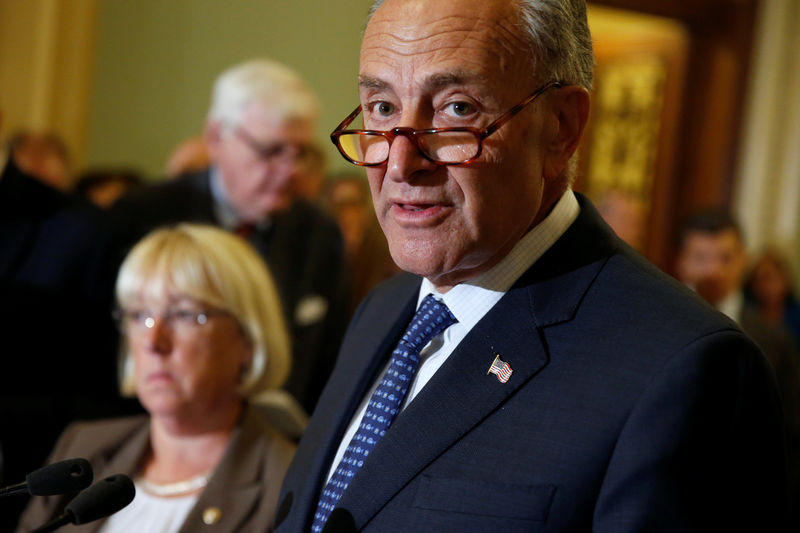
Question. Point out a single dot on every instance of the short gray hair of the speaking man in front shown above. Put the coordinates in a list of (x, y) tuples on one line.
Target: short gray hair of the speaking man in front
[(558, 35)]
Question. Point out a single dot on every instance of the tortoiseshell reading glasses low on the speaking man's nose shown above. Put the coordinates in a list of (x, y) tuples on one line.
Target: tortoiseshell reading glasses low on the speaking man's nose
[(443, 146)]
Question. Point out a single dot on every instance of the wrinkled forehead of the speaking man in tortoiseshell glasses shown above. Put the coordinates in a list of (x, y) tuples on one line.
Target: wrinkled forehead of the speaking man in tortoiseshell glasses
[(411, 42)]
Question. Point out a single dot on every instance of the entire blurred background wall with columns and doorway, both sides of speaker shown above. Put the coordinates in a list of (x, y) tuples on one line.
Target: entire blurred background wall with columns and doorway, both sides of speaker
[(696, 102)]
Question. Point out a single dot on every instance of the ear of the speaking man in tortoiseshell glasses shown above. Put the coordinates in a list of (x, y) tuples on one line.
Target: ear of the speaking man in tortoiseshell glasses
[(569, 111)]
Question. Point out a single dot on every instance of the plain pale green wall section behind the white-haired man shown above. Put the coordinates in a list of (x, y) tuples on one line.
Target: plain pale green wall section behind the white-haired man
[(157, 59)]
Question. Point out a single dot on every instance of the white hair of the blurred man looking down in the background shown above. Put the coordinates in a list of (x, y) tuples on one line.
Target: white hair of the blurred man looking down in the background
[(275, 86)]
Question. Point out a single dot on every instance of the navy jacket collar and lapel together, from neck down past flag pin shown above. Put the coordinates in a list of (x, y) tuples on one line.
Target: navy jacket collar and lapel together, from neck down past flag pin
[(461, 394)]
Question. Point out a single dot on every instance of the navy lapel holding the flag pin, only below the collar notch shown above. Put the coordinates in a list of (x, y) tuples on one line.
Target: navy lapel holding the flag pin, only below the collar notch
[(457, 398)]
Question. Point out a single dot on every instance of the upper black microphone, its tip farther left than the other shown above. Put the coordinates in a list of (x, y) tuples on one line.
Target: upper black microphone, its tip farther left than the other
[(58, 478)]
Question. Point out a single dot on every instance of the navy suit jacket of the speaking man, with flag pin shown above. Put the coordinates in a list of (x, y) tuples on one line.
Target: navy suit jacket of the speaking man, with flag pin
[(632, 406)]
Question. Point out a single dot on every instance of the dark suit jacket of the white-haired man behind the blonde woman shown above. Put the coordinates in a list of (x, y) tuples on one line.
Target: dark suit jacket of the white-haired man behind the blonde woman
[(303, 249)]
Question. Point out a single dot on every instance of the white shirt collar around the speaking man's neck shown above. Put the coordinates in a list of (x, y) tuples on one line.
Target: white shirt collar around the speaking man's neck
[(490, 286)]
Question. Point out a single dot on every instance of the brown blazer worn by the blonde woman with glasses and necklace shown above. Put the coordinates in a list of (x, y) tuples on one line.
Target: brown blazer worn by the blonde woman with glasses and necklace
[(240, 497)]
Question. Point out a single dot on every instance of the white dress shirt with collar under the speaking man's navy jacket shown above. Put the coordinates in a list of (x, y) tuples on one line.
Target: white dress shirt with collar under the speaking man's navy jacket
[(471, 300)]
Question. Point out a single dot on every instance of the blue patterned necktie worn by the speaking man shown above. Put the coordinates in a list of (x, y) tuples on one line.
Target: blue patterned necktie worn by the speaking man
[(431, 319)]
